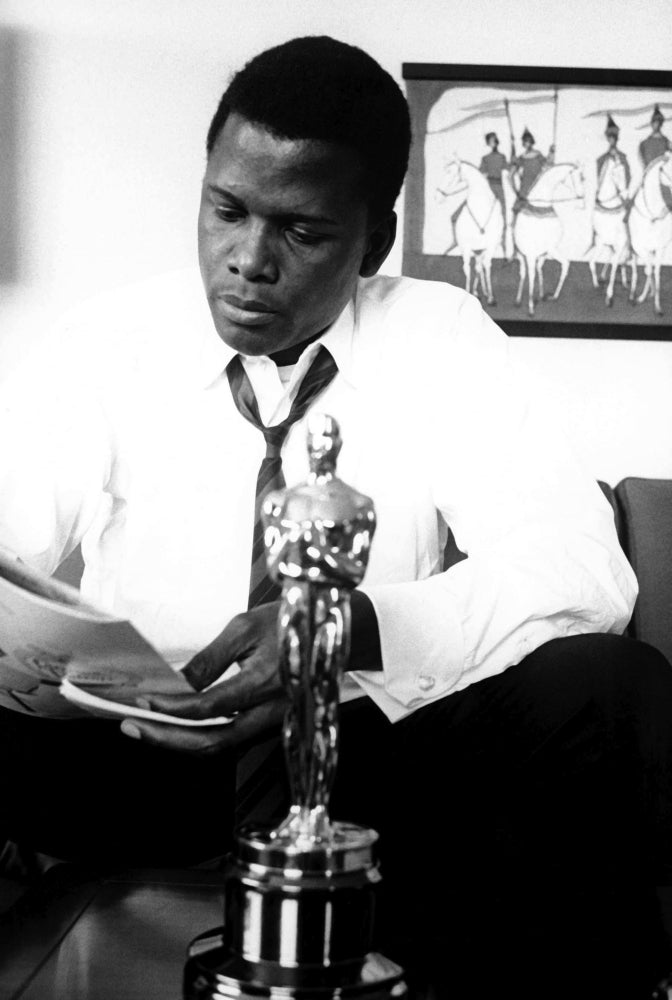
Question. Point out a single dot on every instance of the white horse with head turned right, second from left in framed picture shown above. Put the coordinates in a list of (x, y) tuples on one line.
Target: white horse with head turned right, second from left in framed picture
[(538, 226)]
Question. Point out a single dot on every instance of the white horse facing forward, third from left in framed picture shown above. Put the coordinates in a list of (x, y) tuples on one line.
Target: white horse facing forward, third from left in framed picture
[(610, 230)]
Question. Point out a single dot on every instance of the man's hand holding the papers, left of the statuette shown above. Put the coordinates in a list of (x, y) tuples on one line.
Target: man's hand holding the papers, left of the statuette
[(254, 696)]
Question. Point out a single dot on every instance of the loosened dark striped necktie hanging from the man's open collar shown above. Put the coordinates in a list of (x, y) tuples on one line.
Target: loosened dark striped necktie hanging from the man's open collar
[(260, 777)]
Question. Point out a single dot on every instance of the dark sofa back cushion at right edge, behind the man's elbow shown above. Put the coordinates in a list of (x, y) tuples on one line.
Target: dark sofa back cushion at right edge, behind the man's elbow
[(646, 516)]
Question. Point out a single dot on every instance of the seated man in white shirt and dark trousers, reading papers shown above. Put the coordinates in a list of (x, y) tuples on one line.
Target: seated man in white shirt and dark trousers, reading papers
[(513, 755)]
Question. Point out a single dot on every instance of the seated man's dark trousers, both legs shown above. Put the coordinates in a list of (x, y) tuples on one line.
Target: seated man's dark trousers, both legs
[(524, 822)]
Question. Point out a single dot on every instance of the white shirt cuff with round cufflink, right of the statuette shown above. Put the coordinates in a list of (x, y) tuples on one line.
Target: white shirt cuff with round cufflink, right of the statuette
[(422, 646)]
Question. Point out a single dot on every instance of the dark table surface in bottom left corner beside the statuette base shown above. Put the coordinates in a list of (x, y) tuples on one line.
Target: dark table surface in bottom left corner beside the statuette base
[(123, 935)]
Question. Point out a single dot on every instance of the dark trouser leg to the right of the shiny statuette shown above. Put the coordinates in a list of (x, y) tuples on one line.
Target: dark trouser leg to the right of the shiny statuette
[(525, 823)]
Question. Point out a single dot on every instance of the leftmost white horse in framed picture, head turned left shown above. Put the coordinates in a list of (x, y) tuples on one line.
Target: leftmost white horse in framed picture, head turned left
[(479, 223)]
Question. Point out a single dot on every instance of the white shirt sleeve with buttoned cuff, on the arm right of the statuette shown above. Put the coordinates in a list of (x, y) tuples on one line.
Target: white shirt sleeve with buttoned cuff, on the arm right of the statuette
[(544, 559)]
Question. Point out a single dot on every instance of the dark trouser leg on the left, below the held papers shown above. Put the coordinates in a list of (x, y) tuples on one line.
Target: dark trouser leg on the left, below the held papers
[(81, 791)]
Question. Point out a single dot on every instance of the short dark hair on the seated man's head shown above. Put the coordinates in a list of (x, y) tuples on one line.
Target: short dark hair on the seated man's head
[(319, 88)]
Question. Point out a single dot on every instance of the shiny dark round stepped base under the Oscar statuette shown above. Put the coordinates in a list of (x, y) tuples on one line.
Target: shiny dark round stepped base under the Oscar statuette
[(298, 923)]
